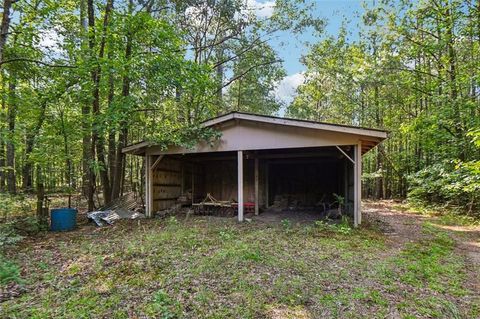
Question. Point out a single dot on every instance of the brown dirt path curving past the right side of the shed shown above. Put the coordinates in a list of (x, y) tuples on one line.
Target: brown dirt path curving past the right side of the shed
[(403, 227)]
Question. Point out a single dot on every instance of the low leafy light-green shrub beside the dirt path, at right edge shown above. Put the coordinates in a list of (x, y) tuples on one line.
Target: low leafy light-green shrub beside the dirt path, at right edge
[(448, 183)]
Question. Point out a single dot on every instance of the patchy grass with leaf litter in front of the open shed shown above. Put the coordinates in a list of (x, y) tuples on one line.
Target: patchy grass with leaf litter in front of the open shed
[(217, 268)]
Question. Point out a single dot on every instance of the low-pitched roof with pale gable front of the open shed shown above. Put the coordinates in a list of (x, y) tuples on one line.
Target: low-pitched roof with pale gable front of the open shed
[(244, 131)]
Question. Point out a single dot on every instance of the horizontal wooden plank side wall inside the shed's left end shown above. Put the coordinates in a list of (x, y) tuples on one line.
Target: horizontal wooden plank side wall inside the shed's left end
[(167, 183)]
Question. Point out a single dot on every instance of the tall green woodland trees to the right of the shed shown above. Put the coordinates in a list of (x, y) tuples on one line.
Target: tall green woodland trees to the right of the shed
[(410, 72)]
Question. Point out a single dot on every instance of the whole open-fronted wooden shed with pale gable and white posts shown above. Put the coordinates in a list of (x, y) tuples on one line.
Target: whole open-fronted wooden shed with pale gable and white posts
[(258, 161)]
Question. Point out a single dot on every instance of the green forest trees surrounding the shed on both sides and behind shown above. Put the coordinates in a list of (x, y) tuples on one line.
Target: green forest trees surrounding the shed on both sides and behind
[(79, 80)]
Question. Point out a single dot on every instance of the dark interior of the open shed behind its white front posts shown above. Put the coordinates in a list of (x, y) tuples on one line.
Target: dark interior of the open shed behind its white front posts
[(296, 179)]
